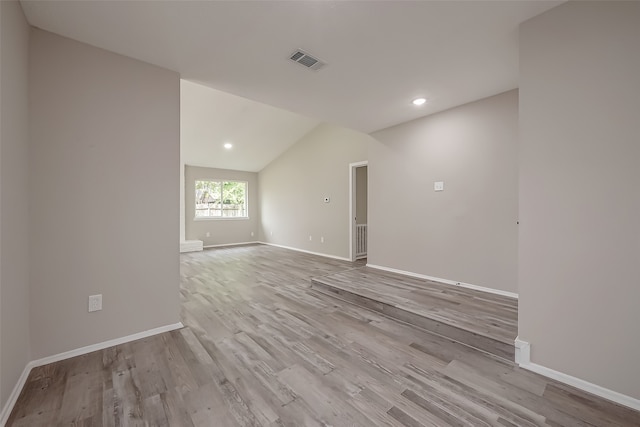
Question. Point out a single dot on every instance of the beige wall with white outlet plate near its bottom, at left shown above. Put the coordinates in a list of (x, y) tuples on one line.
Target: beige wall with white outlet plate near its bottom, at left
[(104, 174)]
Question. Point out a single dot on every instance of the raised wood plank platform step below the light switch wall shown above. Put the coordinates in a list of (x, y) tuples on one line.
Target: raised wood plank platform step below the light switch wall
[(485, 321)]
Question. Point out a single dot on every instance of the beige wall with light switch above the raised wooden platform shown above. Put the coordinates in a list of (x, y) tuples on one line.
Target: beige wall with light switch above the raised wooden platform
[(466, 233)]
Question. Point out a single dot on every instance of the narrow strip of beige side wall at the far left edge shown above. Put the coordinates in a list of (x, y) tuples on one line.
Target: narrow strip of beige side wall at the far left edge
[(14, 227)]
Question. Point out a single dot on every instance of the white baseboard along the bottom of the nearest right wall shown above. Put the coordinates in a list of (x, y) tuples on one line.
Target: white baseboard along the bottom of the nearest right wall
[(605, 393)]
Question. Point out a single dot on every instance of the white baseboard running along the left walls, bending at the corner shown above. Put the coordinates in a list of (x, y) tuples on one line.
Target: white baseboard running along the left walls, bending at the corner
[(8, 407)]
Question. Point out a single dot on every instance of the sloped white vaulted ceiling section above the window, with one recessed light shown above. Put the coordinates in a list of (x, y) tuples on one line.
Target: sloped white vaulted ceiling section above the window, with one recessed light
[(259, 133)]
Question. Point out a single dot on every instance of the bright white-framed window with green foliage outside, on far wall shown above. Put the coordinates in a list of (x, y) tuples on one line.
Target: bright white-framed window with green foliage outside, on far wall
[(221, 199)]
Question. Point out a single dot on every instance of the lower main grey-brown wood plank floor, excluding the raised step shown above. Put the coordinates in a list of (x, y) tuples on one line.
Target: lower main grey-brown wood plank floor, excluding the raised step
[(261, 348)]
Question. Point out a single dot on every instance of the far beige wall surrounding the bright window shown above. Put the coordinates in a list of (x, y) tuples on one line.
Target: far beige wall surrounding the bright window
[(222, 231)]
